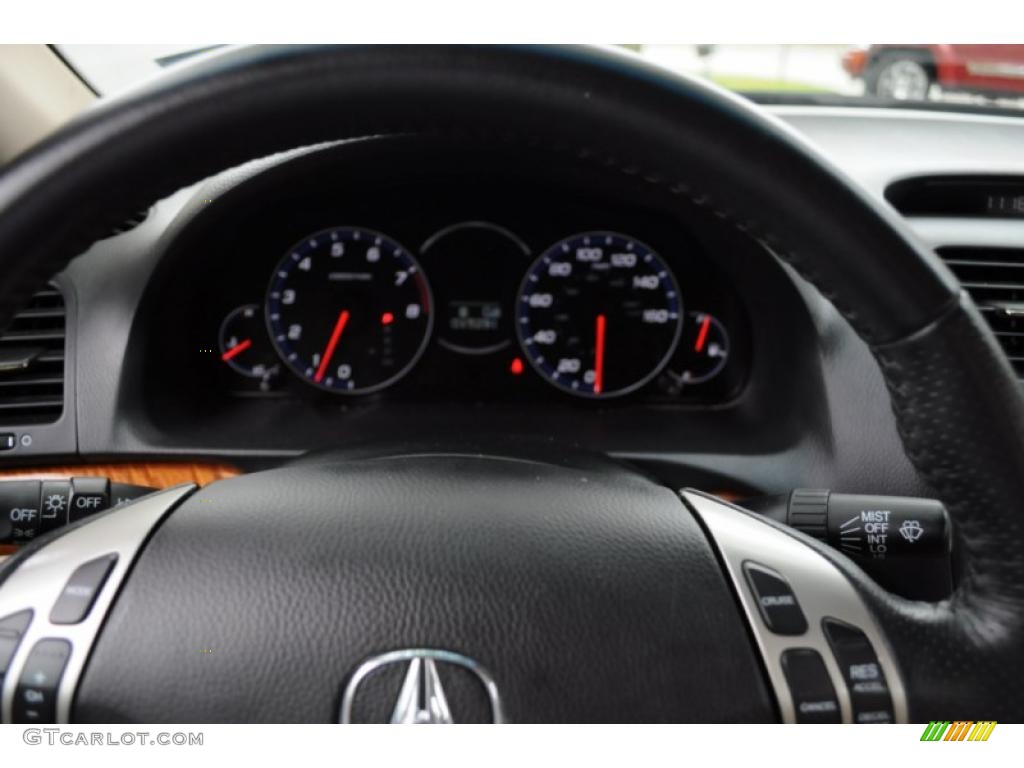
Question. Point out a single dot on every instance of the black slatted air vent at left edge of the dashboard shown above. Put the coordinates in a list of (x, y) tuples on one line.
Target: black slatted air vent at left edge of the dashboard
[(32, 362)]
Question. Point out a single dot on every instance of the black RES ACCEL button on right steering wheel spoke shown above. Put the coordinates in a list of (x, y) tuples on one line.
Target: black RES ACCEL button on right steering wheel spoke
[(860, 665)]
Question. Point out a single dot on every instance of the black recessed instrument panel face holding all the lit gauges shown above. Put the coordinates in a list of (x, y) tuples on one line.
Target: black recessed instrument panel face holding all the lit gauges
[(458, 285)]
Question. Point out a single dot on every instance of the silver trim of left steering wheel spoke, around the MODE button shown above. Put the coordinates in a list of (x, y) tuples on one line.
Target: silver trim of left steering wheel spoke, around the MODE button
[(39, 581)]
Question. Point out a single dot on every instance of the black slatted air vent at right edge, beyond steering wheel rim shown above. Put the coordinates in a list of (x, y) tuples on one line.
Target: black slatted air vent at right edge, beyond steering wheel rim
[(995, 277)]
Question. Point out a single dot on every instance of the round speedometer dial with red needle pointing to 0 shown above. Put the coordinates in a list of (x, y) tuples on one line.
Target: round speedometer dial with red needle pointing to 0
[(600, 315)]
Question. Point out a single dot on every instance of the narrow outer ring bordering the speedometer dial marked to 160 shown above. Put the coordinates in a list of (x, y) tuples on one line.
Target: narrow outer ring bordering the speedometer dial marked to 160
[(670, 352)]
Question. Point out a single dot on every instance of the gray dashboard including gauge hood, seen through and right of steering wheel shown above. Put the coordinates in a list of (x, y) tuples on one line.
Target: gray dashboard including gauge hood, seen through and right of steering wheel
[(746, 379)]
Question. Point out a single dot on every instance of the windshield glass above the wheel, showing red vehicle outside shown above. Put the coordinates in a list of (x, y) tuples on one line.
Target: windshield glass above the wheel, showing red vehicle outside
[(940, 75)]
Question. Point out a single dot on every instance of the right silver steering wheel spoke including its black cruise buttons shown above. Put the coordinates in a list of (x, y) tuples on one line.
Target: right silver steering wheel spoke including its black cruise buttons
[(804, 613)]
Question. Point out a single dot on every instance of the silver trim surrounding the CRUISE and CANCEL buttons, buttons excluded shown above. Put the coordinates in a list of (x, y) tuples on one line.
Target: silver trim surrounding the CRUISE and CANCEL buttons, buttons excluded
[(821, 588)]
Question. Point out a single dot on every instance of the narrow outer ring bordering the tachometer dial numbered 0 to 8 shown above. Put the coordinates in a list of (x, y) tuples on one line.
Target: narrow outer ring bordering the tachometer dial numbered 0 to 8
[(430, 310)]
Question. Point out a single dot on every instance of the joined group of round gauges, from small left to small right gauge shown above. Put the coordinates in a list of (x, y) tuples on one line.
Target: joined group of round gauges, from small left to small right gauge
[(596, 315)]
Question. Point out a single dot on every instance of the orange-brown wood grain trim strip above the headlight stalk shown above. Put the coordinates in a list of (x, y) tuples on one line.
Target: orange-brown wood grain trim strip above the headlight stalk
[(154, 475)]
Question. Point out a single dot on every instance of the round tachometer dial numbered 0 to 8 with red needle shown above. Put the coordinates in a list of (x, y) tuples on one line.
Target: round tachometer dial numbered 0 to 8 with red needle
[(349, 311)]
